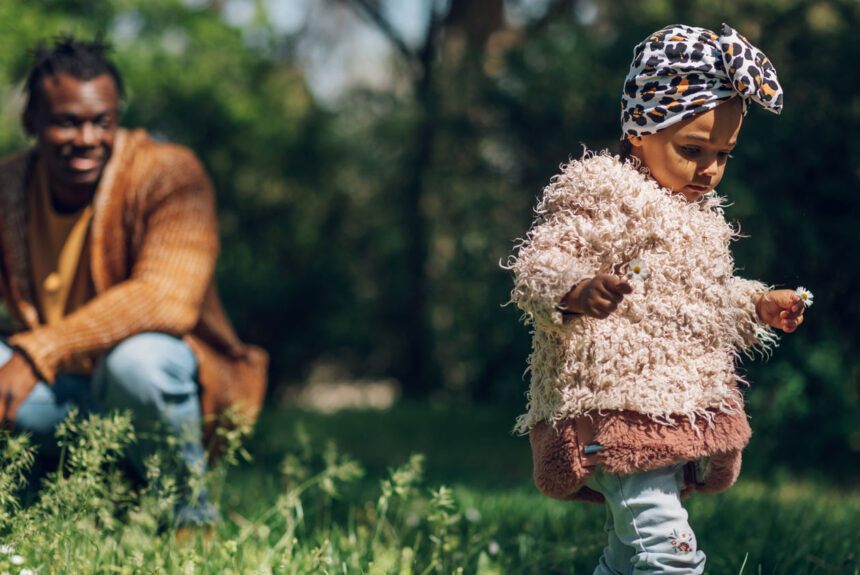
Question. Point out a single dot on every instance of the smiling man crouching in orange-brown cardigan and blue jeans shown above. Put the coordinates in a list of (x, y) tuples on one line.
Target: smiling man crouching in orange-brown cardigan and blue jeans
[(108, 242)]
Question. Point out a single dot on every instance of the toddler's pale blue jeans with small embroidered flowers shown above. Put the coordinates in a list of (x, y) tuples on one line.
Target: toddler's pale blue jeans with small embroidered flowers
[(646, 524)]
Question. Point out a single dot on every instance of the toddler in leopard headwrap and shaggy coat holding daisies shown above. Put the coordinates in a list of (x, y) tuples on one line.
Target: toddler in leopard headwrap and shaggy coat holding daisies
[(627, 279)]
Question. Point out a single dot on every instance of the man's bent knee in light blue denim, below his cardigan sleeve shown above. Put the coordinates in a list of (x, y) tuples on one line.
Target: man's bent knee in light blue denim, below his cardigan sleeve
[(148, 369)]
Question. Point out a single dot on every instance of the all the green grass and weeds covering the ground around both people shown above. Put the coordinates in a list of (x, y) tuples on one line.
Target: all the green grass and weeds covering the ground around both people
[(367, 506)]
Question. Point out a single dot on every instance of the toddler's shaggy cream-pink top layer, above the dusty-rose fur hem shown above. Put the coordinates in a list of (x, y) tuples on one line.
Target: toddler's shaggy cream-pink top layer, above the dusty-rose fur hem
[(670, 348)]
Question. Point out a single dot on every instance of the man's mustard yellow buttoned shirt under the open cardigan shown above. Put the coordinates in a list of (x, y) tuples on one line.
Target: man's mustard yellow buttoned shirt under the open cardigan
[(59, 258)]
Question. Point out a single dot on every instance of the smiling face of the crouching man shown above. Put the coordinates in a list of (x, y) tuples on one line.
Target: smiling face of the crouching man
[(75, 123)]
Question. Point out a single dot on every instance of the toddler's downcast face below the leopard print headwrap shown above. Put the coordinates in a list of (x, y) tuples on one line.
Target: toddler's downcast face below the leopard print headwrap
[(689, 157)]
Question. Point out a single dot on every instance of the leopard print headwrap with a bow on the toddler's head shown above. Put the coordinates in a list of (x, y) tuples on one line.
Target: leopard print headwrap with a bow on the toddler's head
[(681, 71)]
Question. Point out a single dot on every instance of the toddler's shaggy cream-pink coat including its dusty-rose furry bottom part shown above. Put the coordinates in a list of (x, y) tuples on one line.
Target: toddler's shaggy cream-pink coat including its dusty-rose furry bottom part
[(655, 382)]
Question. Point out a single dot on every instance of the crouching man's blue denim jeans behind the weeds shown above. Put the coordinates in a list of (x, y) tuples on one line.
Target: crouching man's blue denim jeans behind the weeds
[(153, 375)]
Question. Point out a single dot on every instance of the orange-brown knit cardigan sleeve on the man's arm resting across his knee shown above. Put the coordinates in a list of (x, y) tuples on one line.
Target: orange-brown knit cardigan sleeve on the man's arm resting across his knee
[(168, 280)]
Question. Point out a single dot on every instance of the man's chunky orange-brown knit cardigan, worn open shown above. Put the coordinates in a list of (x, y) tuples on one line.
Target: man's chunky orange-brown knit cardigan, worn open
[(154, 242)]
